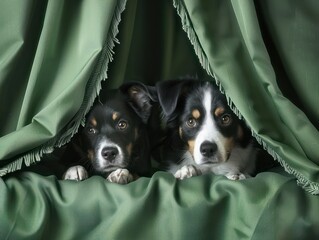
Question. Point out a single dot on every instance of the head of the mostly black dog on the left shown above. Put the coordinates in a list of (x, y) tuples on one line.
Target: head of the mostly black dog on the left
[(114, 134)]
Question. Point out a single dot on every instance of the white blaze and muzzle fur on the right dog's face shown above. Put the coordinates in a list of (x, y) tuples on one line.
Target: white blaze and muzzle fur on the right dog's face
[(209, 132)]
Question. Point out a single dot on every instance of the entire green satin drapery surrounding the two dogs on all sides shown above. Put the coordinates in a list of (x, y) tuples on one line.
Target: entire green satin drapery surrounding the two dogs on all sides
[(53, 57)]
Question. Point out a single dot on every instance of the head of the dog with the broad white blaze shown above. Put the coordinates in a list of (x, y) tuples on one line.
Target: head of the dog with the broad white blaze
[(201, 119)]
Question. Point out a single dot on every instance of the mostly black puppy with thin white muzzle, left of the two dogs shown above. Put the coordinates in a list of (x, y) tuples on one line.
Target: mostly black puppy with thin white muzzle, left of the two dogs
[(114, 141)]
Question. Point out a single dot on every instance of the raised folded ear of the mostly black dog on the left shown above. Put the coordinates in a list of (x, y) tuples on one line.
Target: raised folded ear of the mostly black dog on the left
[(140, 98)]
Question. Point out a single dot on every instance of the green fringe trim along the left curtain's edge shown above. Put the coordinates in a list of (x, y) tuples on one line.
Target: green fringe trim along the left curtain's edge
[(92, 90)]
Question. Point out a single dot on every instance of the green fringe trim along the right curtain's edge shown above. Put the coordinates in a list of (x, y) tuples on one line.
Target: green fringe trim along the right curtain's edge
[(187, 26)]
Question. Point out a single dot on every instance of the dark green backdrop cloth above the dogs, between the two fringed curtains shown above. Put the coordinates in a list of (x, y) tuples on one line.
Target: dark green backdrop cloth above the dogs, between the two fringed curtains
[(153, 46)]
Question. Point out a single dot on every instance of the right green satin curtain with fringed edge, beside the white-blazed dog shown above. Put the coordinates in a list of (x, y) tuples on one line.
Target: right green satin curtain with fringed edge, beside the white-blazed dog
[(229, 43)]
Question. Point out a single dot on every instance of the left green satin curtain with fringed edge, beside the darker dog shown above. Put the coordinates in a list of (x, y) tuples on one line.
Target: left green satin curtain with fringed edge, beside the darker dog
[(53, 56)]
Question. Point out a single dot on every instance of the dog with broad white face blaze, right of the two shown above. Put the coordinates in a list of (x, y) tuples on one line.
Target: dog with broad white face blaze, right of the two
[(203, 134)]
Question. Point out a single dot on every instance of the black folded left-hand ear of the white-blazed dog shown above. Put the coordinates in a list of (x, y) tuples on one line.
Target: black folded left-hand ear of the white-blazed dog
[(170, 92)]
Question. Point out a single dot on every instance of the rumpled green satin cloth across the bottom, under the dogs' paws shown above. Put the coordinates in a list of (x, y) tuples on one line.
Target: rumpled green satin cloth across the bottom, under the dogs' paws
[(205, 207)]
